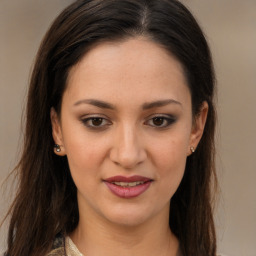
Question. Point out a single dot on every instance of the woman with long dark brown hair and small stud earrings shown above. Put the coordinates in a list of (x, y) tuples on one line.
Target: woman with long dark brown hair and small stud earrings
[(118, 154)]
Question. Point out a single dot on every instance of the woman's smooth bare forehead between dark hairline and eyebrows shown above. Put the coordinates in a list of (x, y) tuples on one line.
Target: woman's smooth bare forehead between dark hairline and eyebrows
[(135, 68)]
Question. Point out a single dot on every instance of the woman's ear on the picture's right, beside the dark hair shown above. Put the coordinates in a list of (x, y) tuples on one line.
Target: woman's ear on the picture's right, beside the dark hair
[(198, 127)]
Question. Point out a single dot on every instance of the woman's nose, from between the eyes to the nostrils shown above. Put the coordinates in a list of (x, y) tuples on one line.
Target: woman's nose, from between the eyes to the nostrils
[(128, 150)]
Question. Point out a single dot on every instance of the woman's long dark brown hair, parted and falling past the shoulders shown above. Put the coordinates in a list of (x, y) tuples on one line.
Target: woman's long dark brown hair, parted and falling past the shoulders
[(46, 202)]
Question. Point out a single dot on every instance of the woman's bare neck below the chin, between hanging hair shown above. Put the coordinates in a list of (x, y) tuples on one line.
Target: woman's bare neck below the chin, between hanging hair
[(100, 237)]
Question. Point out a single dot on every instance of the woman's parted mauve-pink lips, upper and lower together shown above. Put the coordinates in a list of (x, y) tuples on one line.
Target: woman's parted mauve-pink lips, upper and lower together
[(128, 192)]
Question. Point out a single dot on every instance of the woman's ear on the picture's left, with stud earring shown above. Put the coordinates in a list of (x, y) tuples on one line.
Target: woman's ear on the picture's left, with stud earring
[(59, 148)]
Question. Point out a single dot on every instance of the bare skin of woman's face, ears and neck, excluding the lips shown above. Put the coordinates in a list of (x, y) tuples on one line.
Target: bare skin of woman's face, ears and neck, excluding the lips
[(143, 125)]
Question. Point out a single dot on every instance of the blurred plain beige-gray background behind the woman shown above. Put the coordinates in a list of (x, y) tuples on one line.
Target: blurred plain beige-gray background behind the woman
[(230, 26)]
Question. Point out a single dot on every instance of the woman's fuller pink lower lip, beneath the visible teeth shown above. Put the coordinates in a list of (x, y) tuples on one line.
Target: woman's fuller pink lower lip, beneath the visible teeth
[(128, 192)]
